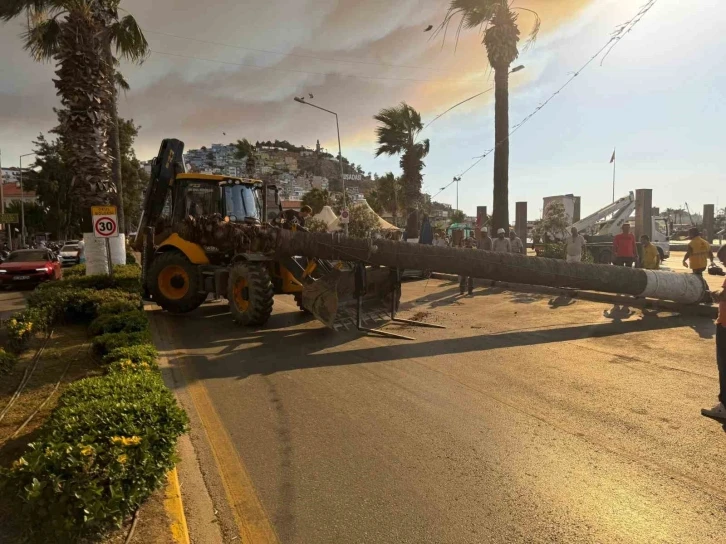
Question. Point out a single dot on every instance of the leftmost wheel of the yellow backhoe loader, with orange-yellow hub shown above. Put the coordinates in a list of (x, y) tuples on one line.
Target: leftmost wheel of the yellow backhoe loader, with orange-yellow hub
[(174, 283)]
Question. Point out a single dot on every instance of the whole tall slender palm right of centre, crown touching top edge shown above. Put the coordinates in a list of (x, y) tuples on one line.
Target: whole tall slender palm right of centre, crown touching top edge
[(501, 35)]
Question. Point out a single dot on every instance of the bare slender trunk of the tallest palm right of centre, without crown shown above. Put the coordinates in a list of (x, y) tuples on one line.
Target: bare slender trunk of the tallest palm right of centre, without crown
[(500, 214)]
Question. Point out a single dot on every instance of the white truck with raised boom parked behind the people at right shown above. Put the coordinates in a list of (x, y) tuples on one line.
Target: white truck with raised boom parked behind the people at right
[(600, 227)]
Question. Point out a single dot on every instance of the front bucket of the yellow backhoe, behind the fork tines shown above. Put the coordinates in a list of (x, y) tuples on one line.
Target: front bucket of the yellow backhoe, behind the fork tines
[(334, 298)]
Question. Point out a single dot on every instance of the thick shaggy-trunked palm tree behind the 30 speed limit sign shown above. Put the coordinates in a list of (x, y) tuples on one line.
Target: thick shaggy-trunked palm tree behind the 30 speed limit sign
[(80, 35)]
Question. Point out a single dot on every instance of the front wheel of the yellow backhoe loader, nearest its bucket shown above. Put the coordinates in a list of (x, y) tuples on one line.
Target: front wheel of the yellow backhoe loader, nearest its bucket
[(250, 294)]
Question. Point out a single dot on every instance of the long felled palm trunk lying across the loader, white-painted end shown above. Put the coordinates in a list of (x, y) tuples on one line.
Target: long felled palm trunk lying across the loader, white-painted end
[(212, 231)]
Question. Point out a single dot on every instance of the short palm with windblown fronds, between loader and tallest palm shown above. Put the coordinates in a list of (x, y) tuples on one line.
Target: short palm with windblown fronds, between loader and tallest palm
[(397, 134)]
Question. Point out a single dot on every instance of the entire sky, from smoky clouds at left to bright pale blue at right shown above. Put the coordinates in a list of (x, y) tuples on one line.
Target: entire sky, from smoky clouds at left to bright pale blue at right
[(234, 67)]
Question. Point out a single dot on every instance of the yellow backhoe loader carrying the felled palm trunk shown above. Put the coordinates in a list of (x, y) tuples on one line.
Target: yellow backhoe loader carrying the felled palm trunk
[(179, 274)]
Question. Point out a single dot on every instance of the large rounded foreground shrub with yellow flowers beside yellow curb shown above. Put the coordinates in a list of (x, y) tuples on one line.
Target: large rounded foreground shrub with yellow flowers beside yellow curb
[(105, 448)]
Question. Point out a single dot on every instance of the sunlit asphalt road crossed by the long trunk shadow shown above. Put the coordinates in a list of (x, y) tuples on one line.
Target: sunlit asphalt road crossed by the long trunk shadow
[(526, 420)]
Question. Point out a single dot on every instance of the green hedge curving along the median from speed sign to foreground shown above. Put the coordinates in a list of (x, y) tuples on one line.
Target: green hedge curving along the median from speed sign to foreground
[(111, 439)]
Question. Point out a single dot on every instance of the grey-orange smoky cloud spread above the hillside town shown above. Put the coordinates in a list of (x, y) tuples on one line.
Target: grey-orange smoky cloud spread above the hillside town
[(390, 59)]
